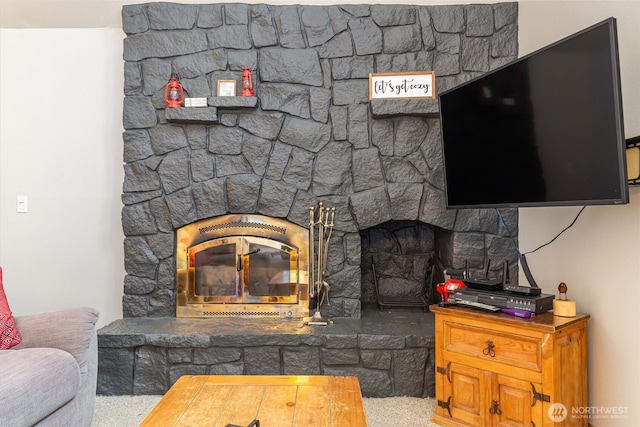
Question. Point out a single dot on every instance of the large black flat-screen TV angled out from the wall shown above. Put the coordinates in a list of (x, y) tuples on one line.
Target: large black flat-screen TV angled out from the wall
[(545, 130)]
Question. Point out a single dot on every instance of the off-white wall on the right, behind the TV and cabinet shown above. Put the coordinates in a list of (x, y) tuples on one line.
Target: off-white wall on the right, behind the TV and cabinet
[(599, 257)]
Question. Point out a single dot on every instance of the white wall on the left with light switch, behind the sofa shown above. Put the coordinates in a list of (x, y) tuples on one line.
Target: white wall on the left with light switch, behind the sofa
[(61, 145)]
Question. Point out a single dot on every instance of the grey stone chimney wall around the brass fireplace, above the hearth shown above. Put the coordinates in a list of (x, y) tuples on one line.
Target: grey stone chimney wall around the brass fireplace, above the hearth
[(310, 135)]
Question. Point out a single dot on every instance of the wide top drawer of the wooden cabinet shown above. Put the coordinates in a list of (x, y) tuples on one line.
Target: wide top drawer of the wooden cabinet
[(502, 347)]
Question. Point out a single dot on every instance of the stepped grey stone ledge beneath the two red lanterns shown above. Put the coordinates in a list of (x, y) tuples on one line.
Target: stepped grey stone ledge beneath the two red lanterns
[(209, 115)]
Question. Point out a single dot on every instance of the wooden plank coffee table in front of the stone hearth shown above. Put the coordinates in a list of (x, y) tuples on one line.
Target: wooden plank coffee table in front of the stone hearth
[(274, 400)]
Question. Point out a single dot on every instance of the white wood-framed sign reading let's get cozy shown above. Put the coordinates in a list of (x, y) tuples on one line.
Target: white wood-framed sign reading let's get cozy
[(413, 84)]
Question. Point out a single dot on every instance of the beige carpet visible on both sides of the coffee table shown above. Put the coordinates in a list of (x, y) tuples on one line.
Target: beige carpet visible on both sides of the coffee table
[(129, 411)]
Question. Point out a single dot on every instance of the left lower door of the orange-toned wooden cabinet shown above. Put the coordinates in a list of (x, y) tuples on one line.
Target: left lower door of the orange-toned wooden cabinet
[(464, 391)]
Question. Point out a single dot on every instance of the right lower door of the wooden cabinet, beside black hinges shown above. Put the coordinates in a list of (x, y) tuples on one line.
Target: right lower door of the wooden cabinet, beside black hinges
[(511, 404)]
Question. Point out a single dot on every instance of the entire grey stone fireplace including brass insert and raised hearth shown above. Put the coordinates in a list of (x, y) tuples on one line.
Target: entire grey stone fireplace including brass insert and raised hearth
[(310, 135)]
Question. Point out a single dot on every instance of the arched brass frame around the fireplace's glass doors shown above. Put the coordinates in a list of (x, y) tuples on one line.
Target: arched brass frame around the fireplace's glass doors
[(240, 230)]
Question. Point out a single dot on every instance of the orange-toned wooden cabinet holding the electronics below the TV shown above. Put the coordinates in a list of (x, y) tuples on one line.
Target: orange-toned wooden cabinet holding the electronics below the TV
[(493, 369)]
